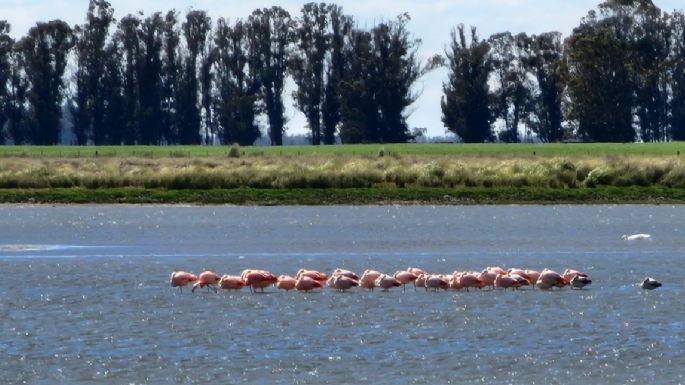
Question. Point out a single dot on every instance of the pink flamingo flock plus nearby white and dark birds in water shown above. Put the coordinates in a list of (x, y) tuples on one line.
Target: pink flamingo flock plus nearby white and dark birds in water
[(343, 280)]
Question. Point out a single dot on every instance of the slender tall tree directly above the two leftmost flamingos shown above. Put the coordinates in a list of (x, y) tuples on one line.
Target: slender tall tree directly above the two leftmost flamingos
[(196, 30)]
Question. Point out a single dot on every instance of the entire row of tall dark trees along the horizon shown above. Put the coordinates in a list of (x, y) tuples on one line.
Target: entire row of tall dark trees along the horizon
[(167, 79)]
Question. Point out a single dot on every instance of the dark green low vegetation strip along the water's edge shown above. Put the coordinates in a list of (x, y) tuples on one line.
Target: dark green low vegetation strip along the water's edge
[(348, 196)]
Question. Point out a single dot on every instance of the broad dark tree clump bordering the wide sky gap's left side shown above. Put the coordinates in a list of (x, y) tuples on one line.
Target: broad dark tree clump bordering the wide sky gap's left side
[(375, 90)]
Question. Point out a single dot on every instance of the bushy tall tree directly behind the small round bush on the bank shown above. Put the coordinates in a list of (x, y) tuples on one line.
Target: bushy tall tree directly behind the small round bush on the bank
[(237, 82)]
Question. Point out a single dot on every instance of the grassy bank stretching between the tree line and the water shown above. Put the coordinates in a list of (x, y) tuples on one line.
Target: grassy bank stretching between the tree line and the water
[(394, 175)]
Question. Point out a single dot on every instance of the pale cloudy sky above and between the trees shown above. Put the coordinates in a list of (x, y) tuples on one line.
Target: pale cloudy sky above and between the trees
[(431, 21)]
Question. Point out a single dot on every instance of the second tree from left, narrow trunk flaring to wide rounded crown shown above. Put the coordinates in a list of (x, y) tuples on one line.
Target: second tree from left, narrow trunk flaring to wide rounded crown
[(45, 50)]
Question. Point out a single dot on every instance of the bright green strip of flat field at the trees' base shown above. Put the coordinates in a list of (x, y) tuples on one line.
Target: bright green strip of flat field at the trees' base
[(468, 150)]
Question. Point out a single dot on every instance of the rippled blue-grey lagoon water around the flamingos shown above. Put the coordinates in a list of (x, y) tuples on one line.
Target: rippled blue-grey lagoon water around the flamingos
[(84, 296)]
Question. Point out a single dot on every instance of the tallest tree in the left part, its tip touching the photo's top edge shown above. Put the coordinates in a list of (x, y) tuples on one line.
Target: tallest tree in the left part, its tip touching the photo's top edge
[(91, 37)]
